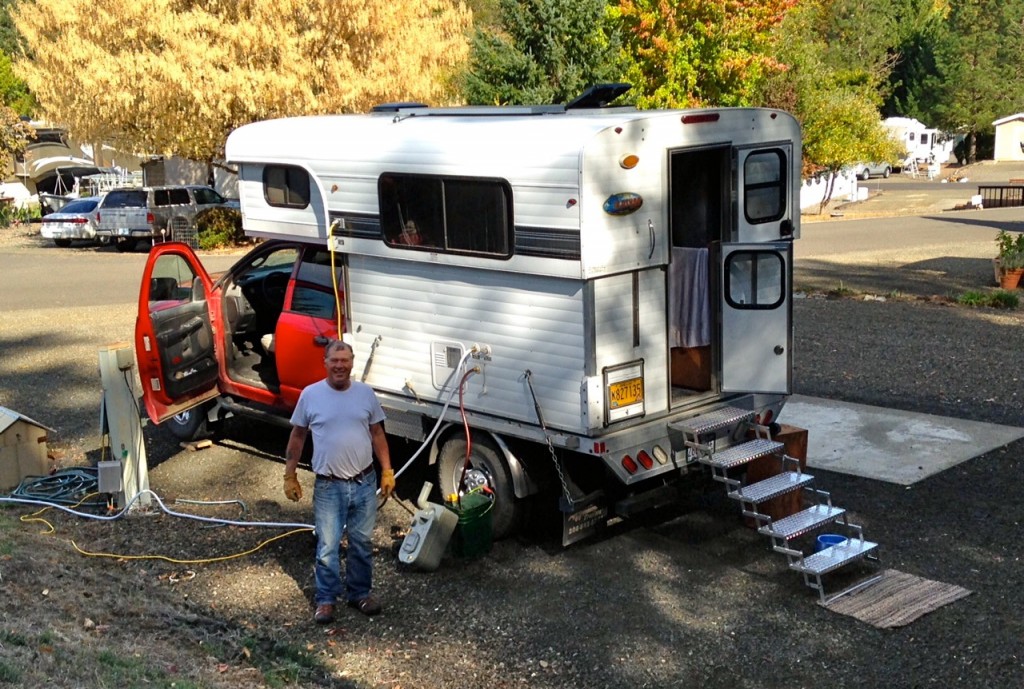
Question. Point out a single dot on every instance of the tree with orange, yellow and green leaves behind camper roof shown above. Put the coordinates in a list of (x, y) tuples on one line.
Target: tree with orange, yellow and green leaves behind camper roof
[(695, 53)]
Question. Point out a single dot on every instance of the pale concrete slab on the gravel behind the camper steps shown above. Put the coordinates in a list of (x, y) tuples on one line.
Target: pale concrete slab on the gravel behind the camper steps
[(888, 445)]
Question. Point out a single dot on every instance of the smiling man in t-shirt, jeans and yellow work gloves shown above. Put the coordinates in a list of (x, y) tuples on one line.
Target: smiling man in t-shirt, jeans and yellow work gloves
[(349, 429)]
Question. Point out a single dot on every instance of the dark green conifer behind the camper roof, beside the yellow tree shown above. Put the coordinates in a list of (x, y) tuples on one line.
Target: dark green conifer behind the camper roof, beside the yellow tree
[(541, 52)]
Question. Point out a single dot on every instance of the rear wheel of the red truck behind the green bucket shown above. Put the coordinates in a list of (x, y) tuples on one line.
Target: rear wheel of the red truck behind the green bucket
[(487, 467)]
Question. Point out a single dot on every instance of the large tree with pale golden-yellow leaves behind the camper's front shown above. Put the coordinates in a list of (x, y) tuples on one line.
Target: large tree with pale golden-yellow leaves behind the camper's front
[(175, 77)]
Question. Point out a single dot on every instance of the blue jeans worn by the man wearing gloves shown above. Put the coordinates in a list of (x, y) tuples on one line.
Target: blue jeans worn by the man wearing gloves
[(342, 506)]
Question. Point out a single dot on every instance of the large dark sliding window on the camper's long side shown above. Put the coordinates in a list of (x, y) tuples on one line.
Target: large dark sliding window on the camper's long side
[(447, 214)]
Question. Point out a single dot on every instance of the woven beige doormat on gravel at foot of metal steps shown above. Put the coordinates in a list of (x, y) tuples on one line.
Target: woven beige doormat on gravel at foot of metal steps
[(897, 599)]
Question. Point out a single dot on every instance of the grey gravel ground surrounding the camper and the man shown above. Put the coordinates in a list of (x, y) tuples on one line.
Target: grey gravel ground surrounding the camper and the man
[(686, 597)]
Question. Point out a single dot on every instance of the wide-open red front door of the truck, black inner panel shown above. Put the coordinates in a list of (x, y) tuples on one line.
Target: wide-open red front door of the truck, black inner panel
[(175, 336)]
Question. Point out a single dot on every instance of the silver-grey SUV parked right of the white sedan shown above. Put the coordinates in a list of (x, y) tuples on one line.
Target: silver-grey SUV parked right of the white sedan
[(127, 216)]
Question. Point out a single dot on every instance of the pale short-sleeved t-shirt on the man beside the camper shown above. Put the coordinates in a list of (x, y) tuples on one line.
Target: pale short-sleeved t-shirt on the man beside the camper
[(340, 423)]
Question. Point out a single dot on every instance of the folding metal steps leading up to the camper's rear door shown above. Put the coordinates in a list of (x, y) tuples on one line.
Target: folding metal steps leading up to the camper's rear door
[(733, 428)]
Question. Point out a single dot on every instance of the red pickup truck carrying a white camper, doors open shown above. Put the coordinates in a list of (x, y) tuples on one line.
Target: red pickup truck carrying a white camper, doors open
[(568, 300)]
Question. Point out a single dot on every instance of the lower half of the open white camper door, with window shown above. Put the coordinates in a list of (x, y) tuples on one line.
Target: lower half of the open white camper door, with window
[(757, 317)]
